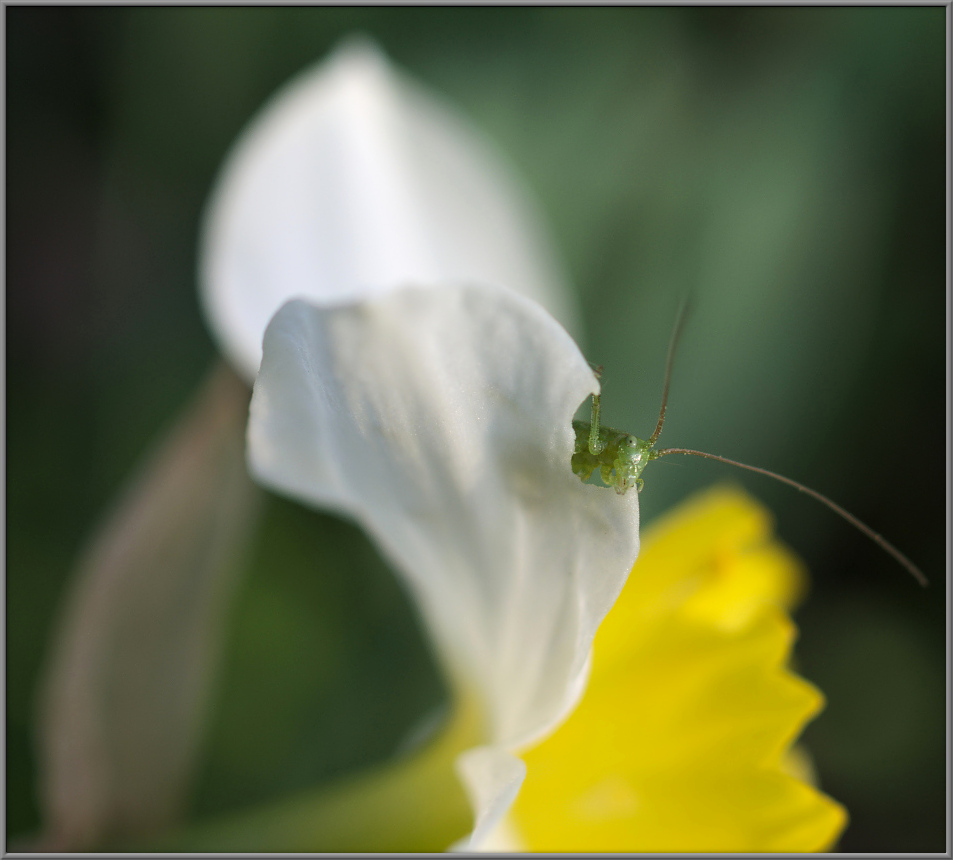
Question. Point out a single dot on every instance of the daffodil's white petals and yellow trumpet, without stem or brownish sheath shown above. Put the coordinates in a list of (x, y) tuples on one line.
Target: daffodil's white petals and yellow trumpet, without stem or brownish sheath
[(413, 376)]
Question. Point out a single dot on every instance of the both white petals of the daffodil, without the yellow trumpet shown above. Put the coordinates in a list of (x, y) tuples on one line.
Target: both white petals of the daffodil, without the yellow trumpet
[(417, 386)]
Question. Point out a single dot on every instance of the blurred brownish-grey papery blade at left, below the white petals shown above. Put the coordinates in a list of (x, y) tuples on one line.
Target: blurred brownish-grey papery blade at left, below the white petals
[(128, 680)]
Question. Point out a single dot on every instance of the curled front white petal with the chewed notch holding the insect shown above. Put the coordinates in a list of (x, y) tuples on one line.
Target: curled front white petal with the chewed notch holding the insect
[(441, 420)]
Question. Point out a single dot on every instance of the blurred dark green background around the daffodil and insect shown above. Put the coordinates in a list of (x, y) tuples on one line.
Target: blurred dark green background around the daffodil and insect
[(785, 167)]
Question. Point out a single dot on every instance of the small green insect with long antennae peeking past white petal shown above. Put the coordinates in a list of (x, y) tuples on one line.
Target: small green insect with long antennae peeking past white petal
[(621, 457)]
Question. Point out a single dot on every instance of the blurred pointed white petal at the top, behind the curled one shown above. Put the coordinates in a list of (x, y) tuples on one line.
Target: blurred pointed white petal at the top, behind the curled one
[(353, 180)]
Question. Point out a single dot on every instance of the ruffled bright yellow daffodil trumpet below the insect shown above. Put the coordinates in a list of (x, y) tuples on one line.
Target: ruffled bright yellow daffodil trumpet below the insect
[(683, 739)]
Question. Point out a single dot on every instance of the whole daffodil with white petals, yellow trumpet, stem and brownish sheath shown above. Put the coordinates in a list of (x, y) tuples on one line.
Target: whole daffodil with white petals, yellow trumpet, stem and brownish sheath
[(381, 271)]
